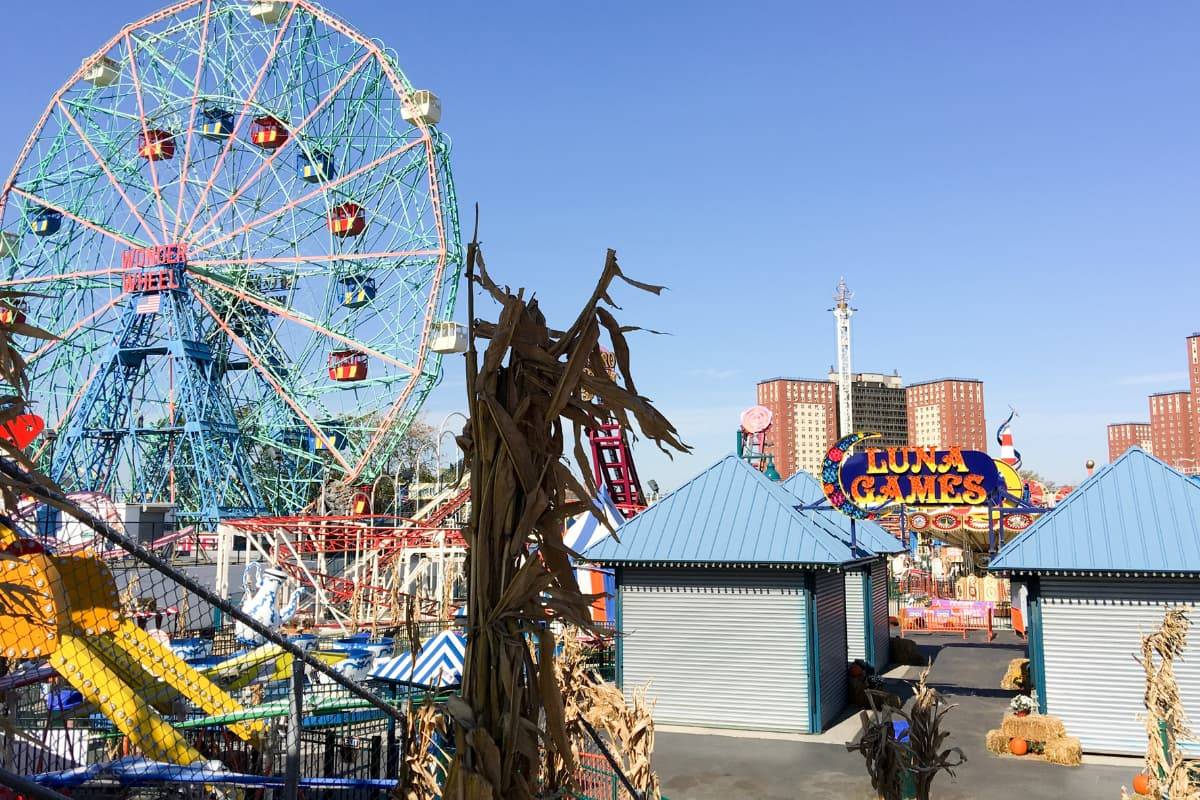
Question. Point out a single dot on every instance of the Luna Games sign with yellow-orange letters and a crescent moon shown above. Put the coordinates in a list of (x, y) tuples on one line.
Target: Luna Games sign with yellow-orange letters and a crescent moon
[(869, 482)]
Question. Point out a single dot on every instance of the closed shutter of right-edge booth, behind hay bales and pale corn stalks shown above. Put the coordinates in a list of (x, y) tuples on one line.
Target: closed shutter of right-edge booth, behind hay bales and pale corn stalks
[(1091, 633)]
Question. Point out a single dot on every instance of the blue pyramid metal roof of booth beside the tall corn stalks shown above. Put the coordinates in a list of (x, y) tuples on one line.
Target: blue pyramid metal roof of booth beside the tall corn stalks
[(730, 514)]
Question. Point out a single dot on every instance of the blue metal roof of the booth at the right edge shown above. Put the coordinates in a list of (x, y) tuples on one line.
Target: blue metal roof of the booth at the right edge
[(1136, 515)]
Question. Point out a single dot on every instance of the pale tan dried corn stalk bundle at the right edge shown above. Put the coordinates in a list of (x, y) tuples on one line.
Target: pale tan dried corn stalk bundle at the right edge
[(1166, 720)]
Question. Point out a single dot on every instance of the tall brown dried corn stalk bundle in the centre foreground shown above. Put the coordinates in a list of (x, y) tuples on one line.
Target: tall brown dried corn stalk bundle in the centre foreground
[(524, 393)]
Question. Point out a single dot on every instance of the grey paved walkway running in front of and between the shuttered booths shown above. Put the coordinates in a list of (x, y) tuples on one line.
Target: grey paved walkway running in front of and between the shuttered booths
[(710, 767)]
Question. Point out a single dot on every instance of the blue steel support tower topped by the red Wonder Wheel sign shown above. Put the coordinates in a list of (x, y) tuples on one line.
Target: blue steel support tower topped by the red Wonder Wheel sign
[(194, 454)]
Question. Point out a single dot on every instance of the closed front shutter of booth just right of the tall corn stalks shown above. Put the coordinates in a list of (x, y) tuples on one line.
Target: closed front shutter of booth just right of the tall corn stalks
[(719, 648)]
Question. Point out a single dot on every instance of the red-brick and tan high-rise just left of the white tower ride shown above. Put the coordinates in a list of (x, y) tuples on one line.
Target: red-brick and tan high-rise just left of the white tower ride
[(805, 423)]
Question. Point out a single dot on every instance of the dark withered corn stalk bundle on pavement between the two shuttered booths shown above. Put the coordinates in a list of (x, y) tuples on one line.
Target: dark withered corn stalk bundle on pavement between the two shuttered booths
[(889, 761)]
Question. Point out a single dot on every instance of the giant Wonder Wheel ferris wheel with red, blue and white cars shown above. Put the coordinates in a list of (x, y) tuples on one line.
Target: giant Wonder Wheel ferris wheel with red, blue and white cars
[(238, 220)]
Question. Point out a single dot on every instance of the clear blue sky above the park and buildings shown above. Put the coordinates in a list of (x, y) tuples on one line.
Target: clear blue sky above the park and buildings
[(1012, 190)]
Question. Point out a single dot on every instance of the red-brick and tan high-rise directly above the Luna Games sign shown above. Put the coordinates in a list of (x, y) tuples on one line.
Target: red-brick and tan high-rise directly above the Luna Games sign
[(947, 413)]
